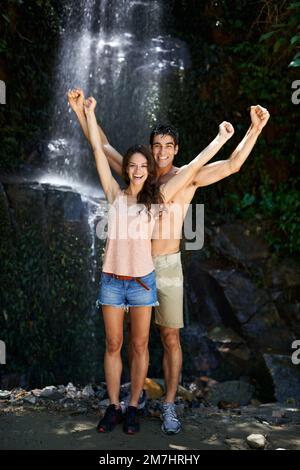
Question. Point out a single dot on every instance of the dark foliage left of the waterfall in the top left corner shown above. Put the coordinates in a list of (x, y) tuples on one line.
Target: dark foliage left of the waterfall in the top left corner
[(27, 55)]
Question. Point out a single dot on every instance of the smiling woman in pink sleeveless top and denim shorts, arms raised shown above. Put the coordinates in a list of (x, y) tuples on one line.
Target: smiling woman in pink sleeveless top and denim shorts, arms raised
[(128, 278)]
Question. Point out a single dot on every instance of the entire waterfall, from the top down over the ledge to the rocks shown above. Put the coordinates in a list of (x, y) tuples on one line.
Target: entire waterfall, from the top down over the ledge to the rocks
[(117, 51)]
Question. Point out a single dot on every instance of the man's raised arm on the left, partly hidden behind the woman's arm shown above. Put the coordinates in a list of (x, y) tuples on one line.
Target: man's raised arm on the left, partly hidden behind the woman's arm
[(76, 100)]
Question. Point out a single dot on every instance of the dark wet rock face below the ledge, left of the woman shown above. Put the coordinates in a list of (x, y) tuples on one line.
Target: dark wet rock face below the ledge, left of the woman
[(50, 273)]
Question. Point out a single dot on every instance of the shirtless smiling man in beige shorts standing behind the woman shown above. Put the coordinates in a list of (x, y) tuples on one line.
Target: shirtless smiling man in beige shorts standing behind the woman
[(166, 249)]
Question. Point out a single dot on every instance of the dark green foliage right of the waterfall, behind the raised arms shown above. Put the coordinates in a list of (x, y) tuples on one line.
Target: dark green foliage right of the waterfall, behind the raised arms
[(241, 53)]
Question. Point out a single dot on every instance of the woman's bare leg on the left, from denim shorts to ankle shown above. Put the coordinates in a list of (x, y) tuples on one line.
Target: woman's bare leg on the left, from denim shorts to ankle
[(113, 320)]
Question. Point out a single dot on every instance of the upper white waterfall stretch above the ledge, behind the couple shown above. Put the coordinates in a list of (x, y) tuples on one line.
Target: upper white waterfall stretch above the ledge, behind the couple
[(116, 51)]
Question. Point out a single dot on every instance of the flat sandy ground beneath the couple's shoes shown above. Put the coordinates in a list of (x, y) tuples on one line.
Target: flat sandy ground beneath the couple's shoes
[(205, 430)]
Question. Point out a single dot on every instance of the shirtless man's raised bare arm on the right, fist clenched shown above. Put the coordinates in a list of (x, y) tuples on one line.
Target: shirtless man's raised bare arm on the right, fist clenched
[(216, 171)]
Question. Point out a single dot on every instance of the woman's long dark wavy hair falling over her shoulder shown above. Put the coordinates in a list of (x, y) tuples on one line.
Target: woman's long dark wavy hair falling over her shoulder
[(150, 193)]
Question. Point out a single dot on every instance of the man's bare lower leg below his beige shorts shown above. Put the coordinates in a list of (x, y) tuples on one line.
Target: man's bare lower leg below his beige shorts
[(172, 360)]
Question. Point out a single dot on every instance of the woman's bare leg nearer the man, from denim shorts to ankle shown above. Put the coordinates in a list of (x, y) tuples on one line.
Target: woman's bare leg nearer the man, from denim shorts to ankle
[(140, 318)]
